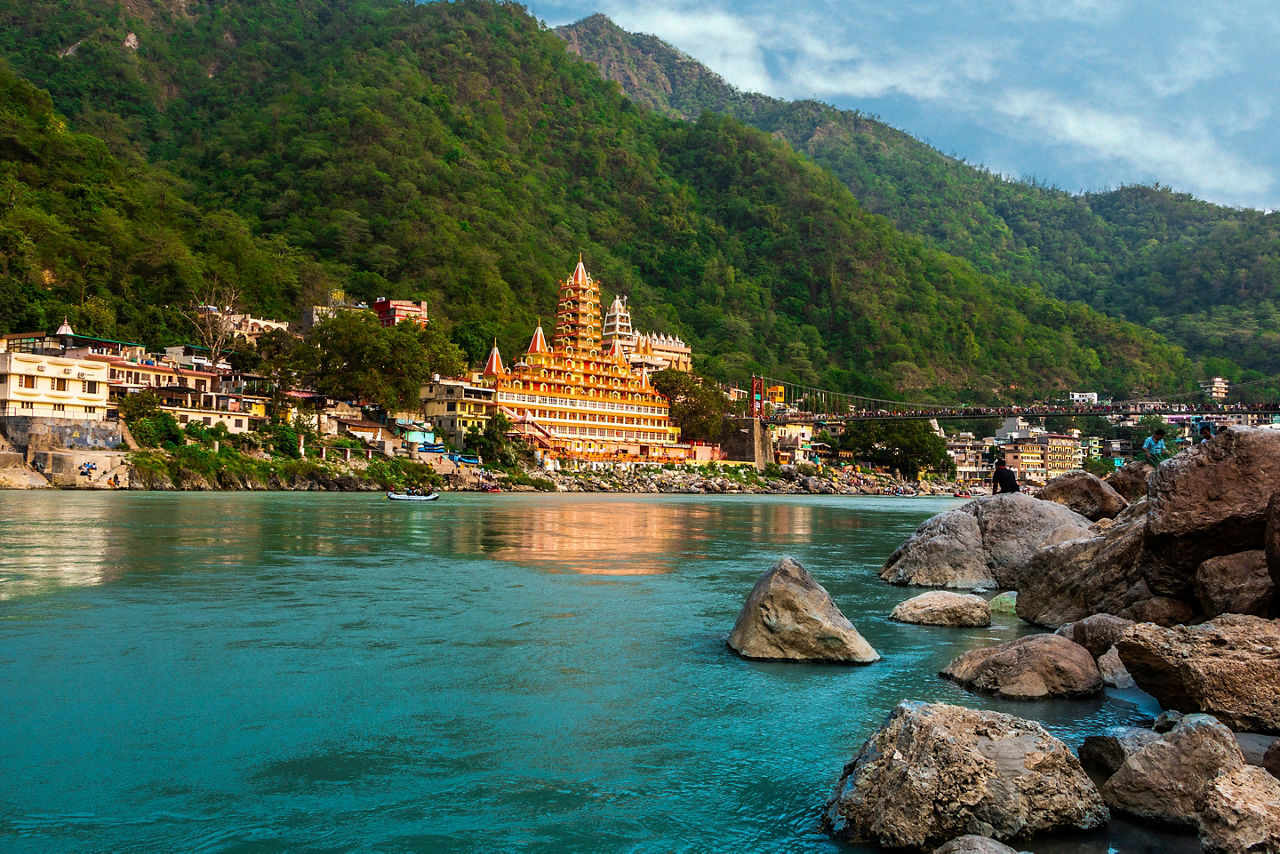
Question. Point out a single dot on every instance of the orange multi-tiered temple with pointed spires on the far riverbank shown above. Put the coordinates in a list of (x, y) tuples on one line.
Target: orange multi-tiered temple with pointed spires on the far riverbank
[(574, 399)]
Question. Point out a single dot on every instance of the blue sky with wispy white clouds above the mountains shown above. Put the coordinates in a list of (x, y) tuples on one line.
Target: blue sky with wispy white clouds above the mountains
[(1080, 94)]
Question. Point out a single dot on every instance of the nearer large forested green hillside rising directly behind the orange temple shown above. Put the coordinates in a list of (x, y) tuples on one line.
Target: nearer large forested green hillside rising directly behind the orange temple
[(458, 153)]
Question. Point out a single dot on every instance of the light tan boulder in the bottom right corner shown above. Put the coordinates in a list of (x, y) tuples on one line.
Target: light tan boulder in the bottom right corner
[(1241, 814)]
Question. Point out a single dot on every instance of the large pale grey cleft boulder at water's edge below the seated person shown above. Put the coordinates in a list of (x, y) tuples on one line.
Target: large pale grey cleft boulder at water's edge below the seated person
[(986, 544)]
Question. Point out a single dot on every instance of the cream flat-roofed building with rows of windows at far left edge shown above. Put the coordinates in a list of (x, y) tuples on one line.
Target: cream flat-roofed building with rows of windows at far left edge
[(43, 386)]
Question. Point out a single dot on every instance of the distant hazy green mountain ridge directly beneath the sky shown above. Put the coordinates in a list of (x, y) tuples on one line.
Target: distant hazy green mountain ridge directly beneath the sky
[(1206, 277)]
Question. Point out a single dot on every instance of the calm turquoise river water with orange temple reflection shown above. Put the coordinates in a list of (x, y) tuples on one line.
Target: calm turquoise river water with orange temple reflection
[(264, 672)]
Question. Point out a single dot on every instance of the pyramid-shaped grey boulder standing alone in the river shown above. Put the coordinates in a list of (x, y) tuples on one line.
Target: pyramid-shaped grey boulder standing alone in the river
[(792, 618)]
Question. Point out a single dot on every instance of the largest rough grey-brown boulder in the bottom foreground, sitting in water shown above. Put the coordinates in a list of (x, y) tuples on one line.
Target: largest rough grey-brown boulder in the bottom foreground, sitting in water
[(934, 773)]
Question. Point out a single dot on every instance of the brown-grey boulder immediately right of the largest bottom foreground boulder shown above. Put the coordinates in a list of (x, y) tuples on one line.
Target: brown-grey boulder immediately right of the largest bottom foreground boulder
[(1165, 782)]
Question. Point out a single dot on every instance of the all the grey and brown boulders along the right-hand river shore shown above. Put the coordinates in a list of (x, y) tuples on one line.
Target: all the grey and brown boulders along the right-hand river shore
[(1164, 579)]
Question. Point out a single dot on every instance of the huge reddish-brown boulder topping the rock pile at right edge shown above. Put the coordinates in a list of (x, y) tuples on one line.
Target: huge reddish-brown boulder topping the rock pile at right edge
[(1209, 501)]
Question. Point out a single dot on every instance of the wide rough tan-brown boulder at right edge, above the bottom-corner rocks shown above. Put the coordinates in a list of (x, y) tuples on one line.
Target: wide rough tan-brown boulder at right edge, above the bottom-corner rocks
[(1229, 668)]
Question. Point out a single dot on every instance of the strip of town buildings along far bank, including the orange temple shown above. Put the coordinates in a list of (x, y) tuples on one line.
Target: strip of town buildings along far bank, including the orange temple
[(582, 399)]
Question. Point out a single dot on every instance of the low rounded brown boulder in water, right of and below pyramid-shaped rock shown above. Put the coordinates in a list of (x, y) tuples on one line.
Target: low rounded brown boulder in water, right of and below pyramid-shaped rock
[(1028, 669)]
